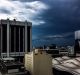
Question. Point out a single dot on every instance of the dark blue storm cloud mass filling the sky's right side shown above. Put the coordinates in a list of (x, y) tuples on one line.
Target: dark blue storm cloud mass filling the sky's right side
[(62, 17)]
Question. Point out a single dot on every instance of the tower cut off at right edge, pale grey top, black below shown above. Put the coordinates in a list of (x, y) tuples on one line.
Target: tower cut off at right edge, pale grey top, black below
[(77, 41)]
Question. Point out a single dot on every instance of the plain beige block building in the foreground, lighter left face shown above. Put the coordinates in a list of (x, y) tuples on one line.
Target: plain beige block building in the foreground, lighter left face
[(38, 62)]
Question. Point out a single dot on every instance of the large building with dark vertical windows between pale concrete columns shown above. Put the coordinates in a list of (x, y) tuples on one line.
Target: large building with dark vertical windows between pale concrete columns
[(15, 38)]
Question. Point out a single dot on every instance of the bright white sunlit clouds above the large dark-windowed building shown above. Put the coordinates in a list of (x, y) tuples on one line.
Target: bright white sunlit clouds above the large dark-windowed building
[(23, 10)]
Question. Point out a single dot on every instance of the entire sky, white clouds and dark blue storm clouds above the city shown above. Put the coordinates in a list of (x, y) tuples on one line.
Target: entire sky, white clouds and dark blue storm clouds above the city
[(53, 21)]
